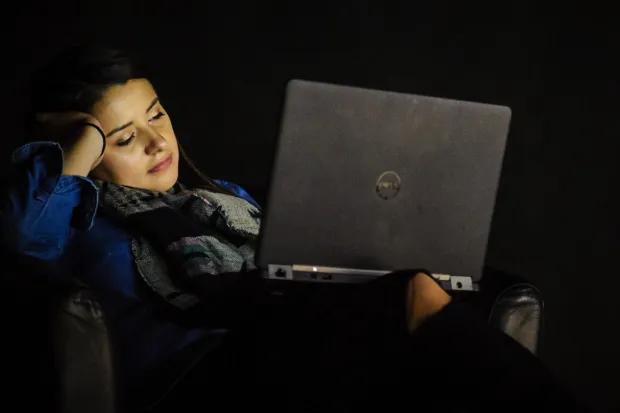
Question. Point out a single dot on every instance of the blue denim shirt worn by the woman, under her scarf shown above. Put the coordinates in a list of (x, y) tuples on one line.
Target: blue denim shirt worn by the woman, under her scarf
[(53, 219)]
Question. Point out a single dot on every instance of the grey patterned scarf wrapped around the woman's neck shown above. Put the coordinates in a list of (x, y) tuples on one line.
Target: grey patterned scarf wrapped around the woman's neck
[(183, 235)]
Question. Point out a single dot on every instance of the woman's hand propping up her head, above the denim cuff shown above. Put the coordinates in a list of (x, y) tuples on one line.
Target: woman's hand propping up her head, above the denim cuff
[(82, 144)]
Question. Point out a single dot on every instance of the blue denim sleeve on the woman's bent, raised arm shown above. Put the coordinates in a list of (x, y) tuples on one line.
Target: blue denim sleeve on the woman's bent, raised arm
[(39, 207)]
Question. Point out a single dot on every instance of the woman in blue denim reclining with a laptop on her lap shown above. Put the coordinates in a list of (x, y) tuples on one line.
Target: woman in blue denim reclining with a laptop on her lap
[(106, 196)]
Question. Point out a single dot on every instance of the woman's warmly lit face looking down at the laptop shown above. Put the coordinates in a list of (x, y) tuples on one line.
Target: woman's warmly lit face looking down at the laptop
[(141, 148)]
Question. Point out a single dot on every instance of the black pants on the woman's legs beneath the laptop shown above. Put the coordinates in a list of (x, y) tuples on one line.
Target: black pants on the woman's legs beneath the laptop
[(354, 354)]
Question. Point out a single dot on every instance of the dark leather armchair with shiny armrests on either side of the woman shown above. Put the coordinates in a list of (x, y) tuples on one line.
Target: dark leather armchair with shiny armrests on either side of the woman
[(76, 373)]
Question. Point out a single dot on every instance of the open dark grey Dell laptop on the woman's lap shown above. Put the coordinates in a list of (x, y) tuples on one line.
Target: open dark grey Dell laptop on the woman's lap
[(366, 182)]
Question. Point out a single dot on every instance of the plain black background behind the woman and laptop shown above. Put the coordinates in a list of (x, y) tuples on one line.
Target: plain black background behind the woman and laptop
[(221, 69)]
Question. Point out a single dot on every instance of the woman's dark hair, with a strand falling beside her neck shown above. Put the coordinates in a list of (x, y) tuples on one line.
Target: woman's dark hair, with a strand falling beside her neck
[(79, 77)]
